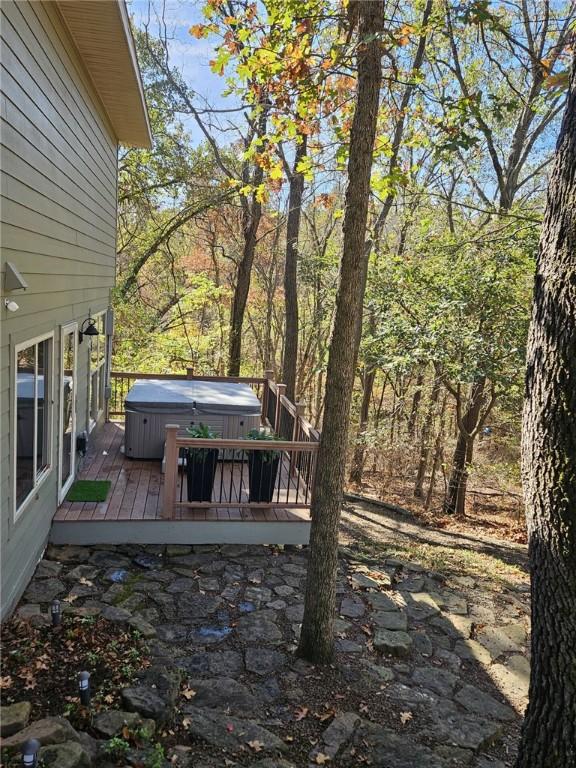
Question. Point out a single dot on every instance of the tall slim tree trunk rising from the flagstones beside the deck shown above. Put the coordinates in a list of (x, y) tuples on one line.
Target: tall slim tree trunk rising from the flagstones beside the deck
[(317, 635)]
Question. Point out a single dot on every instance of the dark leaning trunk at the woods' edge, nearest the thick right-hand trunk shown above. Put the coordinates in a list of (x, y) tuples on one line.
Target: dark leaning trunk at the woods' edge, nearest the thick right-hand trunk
[(455, 502)]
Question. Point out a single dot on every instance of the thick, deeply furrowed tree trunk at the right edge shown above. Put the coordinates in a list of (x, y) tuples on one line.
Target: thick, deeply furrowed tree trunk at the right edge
[(549, 470)]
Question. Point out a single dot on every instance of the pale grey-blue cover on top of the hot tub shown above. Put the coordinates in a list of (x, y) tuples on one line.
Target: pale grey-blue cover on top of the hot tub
[(182, 396)]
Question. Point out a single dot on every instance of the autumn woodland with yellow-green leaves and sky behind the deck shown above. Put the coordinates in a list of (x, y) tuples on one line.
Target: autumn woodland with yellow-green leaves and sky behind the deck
[(230, 226)]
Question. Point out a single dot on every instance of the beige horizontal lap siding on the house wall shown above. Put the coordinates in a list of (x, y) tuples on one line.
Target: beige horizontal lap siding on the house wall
[(58, 227)]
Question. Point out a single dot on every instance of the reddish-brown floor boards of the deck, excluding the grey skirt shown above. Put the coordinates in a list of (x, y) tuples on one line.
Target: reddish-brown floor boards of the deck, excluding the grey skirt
[(137, 486)]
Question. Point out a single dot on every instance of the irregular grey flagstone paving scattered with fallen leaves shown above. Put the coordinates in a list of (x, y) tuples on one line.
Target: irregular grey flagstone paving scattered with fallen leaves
[(429, 671)]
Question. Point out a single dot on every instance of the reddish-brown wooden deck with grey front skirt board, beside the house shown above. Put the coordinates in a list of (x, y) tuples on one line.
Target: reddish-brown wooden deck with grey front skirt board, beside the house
[(136, 499)]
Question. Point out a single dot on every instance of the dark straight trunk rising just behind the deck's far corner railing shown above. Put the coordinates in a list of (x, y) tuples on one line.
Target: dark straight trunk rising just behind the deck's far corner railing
[(290, 363)]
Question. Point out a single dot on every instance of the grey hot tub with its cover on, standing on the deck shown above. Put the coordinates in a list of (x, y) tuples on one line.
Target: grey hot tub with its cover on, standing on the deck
[(231, 409)]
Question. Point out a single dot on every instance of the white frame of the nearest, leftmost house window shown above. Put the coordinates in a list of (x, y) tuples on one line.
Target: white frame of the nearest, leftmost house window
[(38, 479)]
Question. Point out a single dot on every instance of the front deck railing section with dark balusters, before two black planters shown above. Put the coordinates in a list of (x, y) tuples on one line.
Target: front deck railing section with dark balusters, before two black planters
[(237, 480)]
